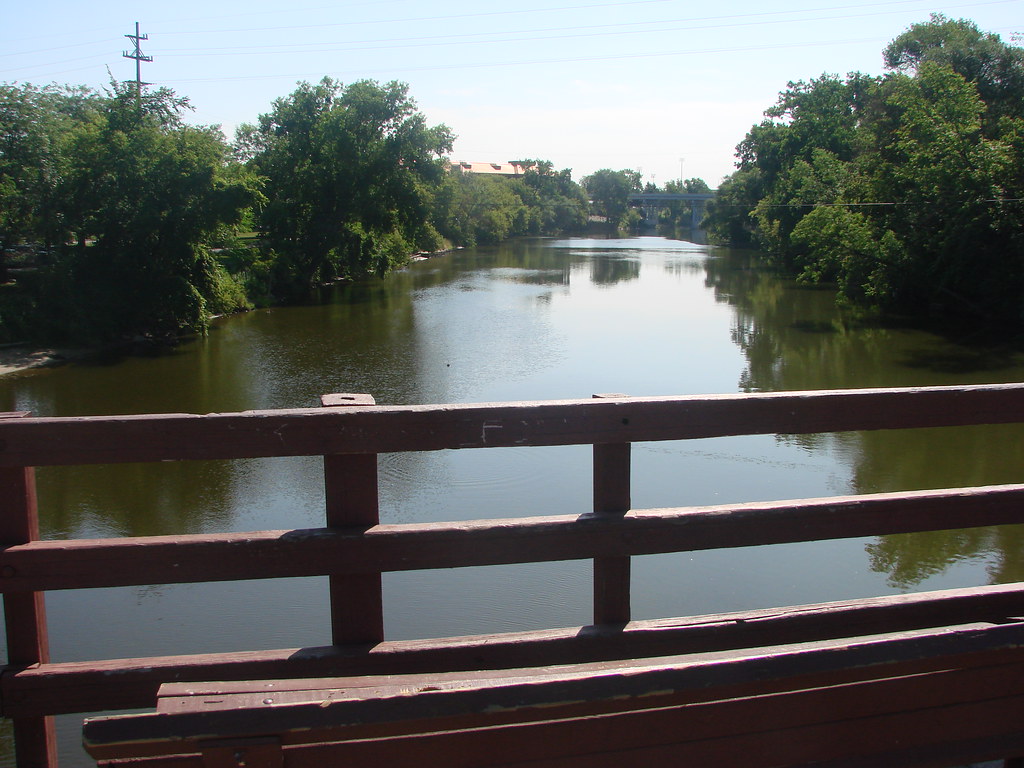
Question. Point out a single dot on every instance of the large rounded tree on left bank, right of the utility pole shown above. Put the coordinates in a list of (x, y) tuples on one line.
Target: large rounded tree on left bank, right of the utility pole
[(350, 178)]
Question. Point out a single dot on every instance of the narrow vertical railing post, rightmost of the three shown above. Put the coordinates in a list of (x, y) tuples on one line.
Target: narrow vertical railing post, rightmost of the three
[(612, 497)]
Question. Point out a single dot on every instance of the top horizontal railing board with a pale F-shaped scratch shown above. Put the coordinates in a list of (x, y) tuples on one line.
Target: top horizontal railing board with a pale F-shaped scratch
[(46, 442)]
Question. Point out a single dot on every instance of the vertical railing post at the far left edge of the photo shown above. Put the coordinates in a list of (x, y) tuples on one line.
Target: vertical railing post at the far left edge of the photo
[(25, 613)]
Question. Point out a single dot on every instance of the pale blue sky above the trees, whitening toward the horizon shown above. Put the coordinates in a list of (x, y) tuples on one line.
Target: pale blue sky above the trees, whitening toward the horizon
[(664, 88)]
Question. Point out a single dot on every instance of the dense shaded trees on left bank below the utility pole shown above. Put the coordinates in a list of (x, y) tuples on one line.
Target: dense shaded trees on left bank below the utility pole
[(131, 201)]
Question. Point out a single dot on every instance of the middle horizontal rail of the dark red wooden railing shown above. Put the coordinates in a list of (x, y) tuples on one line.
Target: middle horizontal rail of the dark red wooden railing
[(209, 558)]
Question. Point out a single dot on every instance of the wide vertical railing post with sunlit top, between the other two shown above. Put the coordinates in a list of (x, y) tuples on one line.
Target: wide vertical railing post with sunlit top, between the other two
[(351, 486)]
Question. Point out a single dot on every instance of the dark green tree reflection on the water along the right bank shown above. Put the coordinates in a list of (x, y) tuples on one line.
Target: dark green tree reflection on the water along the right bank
[(795, 338)]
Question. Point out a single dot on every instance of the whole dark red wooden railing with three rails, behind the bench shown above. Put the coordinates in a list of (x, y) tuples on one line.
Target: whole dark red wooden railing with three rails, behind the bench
[(354, 549)]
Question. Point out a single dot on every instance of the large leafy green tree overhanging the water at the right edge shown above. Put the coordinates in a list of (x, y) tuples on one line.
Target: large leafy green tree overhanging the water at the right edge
[(950, 244)]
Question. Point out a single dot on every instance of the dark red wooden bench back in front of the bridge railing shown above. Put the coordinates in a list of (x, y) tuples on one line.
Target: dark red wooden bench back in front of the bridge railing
[(938, 717)]
